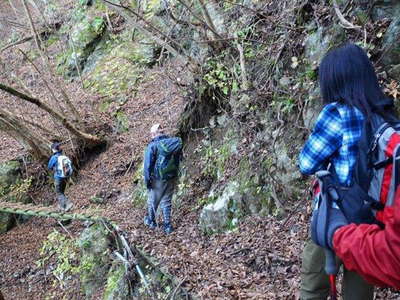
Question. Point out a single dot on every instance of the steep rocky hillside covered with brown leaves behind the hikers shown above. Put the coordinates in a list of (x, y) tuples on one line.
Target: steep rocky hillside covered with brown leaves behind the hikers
[(235, 79)]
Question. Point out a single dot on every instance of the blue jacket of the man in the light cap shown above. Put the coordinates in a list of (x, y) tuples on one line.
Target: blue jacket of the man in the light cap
[(150, 157)]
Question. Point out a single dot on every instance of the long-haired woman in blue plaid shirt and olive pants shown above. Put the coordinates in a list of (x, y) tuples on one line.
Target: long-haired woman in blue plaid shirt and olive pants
[(351, 93)]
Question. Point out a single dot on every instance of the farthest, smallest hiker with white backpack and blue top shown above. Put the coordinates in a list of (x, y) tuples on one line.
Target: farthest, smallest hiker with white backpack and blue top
[(62, 167)]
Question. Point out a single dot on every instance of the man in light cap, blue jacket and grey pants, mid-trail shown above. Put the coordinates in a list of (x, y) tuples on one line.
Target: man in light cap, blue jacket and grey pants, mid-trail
[(161, 165)]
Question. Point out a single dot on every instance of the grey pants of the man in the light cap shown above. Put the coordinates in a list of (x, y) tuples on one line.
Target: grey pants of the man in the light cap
[(161, 194)]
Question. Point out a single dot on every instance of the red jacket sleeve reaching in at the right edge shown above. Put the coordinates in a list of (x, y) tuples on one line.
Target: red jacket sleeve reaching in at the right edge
[(370, 251)]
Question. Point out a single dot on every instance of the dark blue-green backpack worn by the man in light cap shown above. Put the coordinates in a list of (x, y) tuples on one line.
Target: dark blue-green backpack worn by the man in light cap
[(167, 162)]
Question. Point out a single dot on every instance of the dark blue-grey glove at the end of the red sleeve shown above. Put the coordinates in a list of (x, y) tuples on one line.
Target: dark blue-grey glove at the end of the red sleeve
[(325, 220)]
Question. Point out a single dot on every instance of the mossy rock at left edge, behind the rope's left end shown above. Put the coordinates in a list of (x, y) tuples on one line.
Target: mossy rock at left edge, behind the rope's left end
[(10, 175)]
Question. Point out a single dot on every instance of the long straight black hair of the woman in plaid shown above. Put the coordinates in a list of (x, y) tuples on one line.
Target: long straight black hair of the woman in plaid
[(346, 75)]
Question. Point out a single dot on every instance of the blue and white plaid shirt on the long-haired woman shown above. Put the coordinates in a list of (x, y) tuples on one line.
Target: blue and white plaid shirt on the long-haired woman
[(333, 140)]
